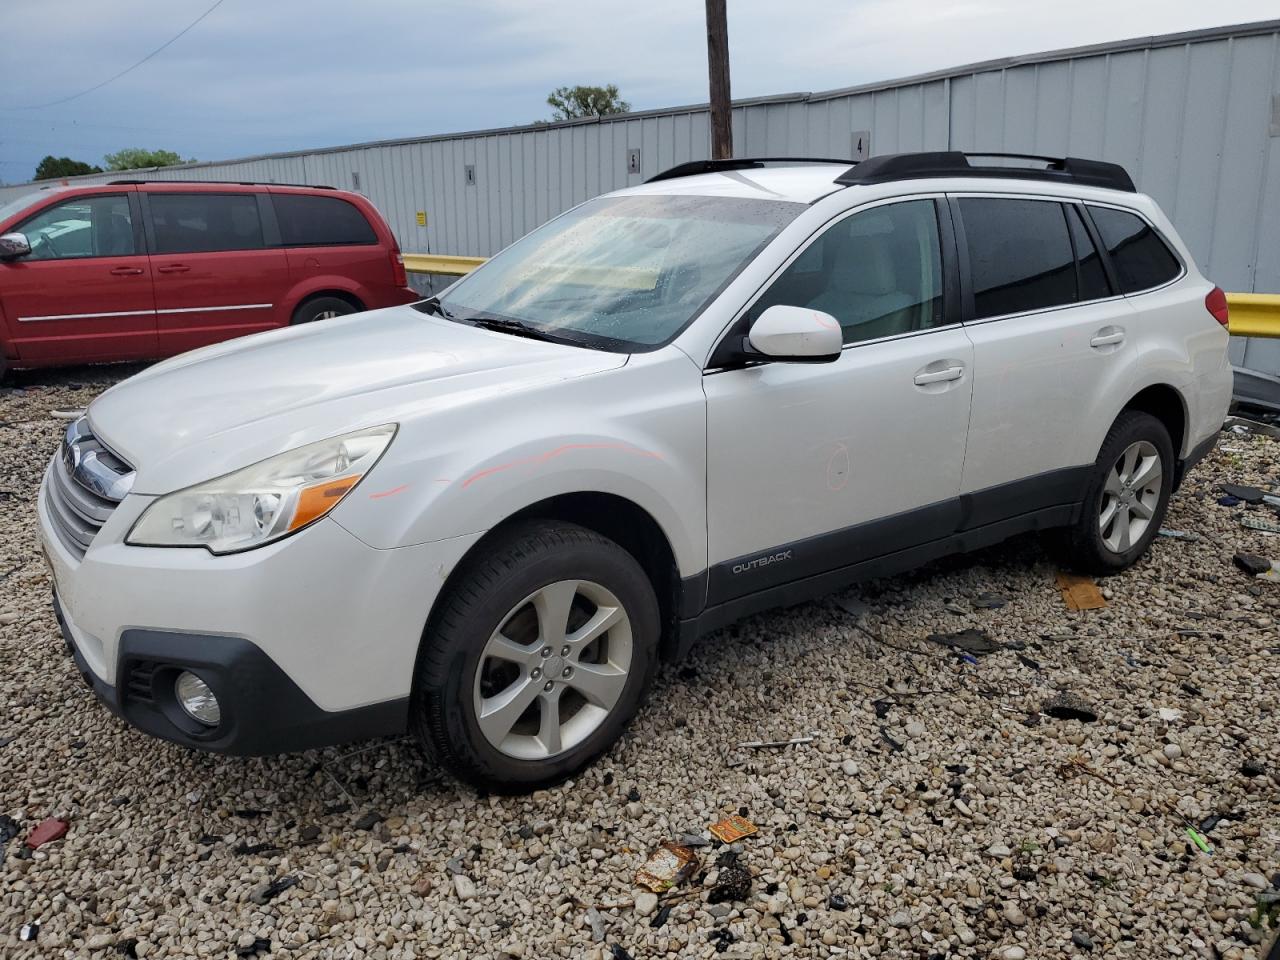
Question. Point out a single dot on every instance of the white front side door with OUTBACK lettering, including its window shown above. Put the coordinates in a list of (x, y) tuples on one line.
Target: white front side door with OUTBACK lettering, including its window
[(819, 467)]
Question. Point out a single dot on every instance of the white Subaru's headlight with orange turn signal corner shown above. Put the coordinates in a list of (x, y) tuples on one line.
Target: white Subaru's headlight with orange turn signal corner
[(267, 501)]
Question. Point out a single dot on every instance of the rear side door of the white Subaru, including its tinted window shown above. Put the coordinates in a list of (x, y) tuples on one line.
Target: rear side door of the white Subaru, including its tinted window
[(1048, 332)]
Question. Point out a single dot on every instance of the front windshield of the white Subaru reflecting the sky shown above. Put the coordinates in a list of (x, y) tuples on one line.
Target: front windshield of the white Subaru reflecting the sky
[(621, 273)]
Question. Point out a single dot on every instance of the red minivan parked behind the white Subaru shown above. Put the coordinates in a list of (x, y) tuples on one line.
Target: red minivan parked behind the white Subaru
[(132, 271)]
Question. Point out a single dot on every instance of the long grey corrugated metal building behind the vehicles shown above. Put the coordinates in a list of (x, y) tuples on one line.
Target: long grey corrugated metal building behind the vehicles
[(1195, 117)]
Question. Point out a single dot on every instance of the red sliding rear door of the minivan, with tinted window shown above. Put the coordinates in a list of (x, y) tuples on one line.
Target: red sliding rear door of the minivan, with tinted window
[(217, 272)]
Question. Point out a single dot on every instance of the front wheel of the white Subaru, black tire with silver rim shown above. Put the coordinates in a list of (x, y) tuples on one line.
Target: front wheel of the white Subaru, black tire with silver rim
[(518, 587)]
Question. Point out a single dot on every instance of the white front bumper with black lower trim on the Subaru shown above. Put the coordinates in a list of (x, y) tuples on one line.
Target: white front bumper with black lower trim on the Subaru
[(307, 642)]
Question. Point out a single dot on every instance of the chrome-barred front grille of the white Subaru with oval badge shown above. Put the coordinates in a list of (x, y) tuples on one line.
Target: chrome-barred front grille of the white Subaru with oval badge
[(86, 484)]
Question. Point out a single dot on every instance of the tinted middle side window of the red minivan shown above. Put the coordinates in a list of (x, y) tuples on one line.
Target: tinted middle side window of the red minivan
[(205, 223)]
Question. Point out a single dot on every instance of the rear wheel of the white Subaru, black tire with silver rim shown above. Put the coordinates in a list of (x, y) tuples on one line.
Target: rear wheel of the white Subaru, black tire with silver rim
[(1087, 545)]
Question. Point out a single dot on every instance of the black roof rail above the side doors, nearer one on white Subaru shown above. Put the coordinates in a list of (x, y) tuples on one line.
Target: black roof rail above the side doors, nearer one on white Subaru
[(906, 167)]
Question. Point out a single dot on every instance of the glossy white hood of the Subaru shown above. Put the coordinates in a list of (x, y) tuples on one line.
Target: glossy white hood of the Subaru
[(220, 409)]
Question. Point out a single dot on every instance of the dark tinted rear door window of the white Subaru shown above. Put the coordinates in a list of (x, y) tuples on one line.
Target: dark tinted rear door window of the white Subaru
[(1020, 255)]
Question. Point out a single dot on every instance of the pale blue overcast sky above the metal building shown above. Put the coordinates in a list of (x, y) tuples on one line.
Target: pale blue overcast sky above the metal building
[(263, 76)]
